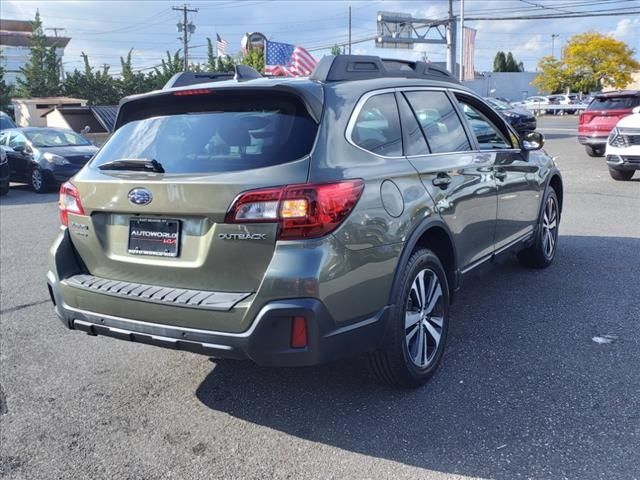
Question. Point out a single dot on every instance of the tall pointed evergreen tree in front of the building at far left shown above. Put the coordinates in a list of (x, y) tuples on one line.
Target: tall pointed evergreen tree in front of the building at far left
[(41, 74)]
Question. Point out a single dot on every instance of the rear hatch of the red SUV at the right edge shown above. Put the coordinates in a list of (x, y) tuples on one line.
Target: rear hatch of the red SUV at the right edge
[(605, 111)]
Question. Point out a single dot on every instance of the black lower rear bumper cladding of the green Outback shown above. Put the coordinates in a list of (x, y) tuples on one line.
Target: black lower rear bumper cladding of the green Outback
[(267, 342)]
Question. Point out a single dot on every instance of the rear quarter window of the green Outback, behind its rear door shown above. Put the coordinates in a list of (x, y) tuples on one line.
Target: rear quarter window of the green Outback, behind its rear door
[(377, 128)]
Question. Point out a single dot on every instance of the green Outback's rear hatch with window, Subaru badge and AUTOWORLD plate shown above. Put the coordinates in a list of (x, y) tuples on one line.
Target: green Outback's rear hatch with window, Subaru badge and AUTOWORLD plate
[(156, 195)]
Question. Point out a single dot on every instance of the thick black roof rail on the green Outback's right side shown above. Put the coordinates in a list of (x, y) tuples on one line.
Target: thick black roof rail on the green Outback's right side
[(338, 68)]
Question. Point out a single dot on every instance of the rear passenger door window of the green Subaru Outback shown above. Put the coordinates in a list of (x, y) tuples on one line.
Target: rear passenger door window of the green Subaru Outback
[(439, 121)]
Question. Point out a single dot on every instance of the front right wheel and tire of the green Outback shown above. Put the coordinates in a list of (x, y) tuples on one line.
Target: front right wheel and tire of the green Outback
[(543, 250)]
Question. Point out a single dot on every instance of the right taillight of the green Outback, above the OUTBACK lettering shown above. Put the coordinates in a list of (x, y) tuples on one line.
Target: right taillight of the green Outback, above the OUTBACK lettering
[(303, 211)]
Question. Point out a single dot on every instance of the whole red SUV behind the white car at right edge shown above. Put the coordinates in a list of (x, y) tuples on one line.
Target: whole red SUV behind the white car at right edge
[(601, 116)]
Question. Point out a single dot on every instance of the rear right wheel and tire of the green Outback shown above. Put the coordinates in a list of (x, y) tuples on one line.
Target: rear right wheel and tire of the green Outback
[(418, 328)]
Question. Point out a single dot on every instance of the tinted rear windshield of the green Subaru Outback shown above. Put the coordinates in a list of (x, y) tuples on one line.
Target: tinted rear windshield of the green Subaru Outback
[(214, 133)]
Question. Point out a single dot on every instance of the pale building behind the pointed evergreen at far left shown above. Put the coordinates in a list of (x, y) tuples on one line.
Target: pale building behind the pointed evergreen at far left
[(15, 43)]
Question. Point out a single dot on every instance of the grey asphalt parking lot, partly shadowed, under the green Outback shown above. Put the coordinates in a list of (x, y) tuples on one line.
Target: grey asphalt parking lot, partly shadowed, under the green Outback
[(524, 390)]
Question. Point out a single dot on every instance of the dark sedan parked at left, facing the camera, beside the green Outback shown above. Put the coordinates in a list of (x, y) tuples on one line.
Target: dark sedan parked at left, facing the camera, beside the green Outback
[(45, 157)]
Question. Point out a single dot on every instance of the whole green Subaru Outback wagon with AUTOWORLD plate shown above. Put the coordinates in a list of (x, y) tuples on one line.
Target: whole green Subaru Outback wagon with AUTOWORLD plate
[(297, 221)]
